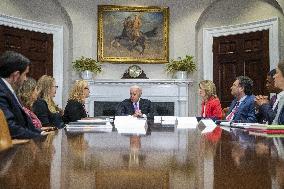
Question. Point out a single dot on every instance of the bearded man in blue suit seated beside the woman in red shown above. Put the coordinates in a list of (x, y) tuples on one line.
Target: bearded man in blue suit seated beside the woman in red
[(242, 108)]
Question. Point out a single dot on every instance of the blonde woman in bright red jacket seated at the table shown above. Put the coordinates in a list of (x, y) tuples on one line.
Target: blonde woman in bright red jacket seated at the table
[(211, 107)]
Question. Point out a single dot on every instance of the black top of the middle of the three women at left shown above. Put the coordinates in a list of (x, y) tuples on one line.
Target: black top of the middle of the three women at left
[(47, 118)]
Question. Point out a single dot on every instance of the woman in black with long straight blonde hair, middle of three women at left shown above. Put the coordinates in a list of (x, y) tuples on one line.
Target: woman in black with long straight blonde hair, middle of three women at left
[(44, 107)]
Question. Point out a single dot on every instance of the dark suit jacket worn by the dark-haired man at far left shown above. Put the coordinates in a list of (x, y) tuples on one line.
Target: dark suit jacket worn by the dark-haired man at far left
[(20, 124)]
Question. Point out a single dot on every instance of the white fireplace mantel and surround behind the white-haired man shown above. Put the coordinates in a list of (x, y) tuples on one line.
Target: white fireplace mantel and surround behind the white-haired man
[(156, 90)]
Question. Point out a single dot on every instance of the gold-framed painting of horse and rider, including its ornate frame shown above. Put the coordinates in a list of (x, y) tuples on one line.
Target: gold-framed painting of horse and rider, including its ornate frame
[(133, 34)]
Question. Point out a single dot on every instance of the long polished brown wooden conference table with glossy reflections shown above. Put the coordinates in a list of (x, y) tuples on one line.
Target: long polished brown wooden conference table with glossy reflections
[(164, 157)]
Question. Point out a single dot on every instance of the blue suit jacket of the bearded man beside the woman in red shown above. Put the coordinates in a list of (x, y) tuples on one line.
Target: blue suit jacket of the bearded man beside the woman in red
[(246, 111)]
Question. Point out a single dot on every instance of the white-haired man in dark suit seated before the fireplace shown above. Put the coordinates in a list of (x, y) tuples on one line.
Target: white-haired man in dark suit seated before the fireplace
[(135, 106)]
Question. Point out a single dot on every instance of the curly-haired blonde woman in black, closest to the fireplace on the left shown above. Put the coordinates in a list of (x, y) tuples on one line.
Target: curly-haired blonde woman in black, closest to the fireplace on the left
[(75, 108)]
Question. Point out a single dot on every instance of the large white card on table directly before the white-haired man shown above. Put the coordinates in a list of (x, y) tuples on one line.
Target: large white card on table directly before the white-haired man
[(130, 125)]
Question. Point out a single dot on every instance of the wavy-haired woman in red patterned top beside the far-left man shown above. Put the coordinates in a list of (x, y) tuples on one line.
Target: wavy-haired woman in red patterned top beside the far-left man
[(28, 94)]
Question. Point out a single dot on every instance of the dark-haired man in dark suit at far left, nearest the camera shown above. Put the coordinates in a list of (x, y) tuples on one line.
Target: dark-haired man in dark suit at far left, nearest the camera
[(13, 70)]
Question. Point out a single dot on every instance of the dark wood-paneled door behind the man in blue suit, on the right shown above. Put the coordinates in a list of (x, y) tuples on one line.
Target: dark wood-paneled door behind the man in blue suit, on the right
[(242, 54)]
